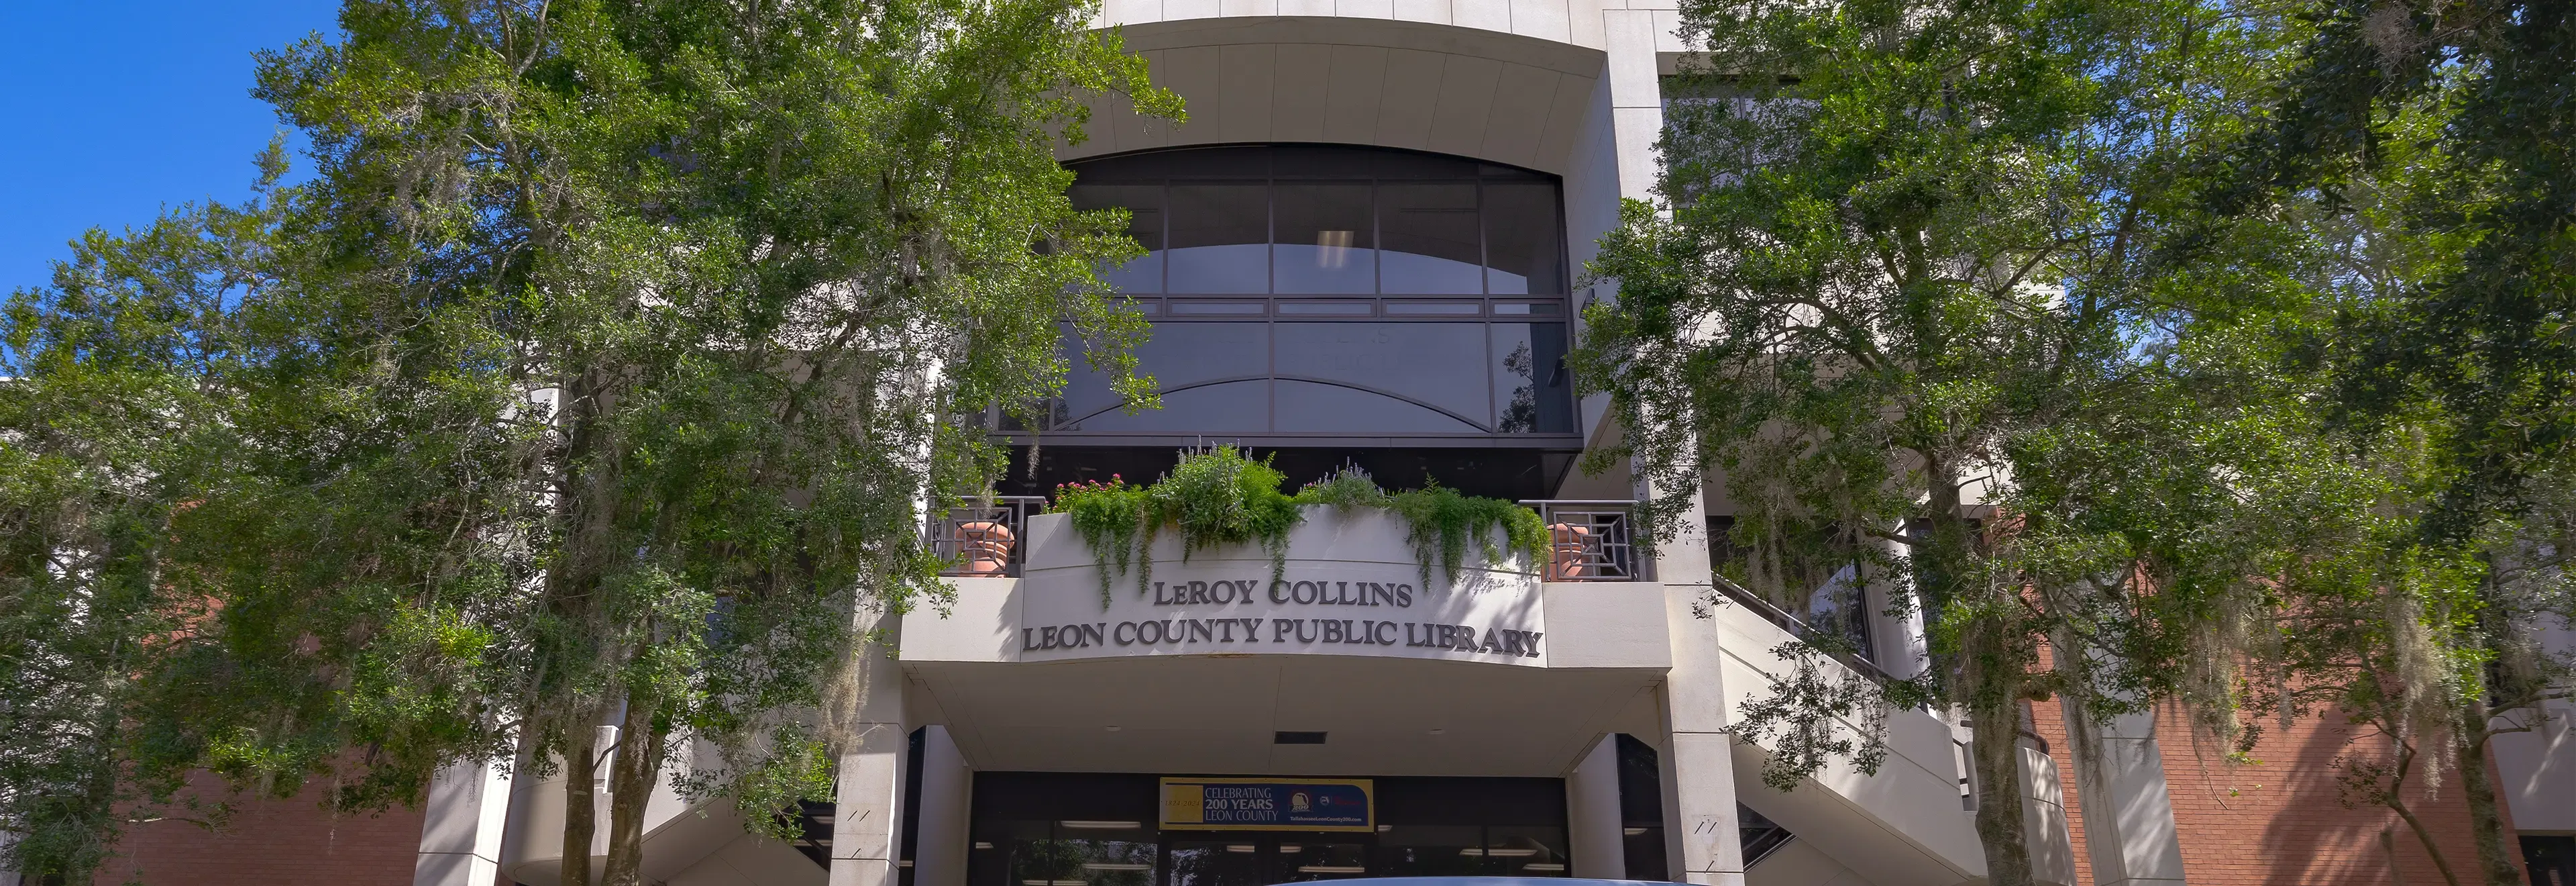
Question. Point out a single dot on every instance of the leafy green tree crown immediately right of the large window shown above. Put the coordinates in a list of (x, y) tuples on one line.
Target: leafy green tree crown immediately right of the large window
[(1902, 297)]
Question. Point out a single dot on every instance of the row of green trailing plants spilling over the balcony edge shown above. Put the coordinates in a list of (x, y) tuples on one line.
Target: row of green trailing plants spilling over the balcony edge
[(1222, 496)]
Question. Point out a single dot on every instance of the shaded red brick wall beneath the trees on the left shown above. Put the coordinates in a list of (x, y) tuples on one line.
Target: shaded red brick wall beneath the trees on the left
[(272, 844)]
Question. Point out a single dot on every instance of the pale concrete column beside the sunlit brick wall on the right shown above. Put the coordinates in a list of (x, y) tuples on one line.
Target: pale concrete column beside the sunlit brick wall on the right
[(2129, 818)]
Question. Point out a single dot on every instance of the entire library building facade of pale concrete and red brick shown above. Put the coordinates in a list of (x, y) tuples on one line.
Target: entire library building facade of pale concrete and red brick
[(1364, 251)]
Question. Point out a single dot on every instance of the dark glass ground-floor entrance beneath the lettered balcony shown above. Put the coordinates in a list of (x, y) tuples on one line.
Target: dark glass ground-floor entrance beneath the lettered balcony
[(1109, 831)]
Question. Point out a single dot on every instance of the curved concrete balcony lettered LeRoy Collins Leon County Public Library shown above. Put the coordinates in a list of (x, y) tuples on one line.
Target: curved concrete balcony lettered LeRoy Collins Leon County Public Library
[(1202, 663)]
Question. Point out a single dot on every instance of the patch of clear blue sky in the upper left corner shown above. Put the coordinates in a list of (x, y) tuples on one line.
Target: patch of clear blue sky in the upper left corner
[(125, 107)]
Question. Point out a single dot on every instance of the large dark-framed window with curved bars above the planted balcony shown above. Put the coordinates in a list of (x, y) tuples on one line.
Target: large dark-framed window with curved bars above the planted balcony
[(1336, 292)]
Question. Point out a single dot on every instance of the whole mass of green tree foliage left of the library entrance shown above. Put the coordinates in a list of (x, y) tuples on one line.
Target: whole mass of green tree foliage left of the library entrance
[(604, 362)]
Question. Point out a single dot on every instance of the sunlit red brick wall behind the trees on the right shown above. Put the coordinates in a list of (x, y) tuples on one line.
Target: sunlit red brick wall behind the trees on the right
[(2281, 820)]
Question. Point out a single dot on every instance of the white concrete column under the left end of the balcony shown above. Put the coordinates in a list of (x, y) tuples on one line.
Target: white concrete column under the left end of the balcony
[(869, 802)]
